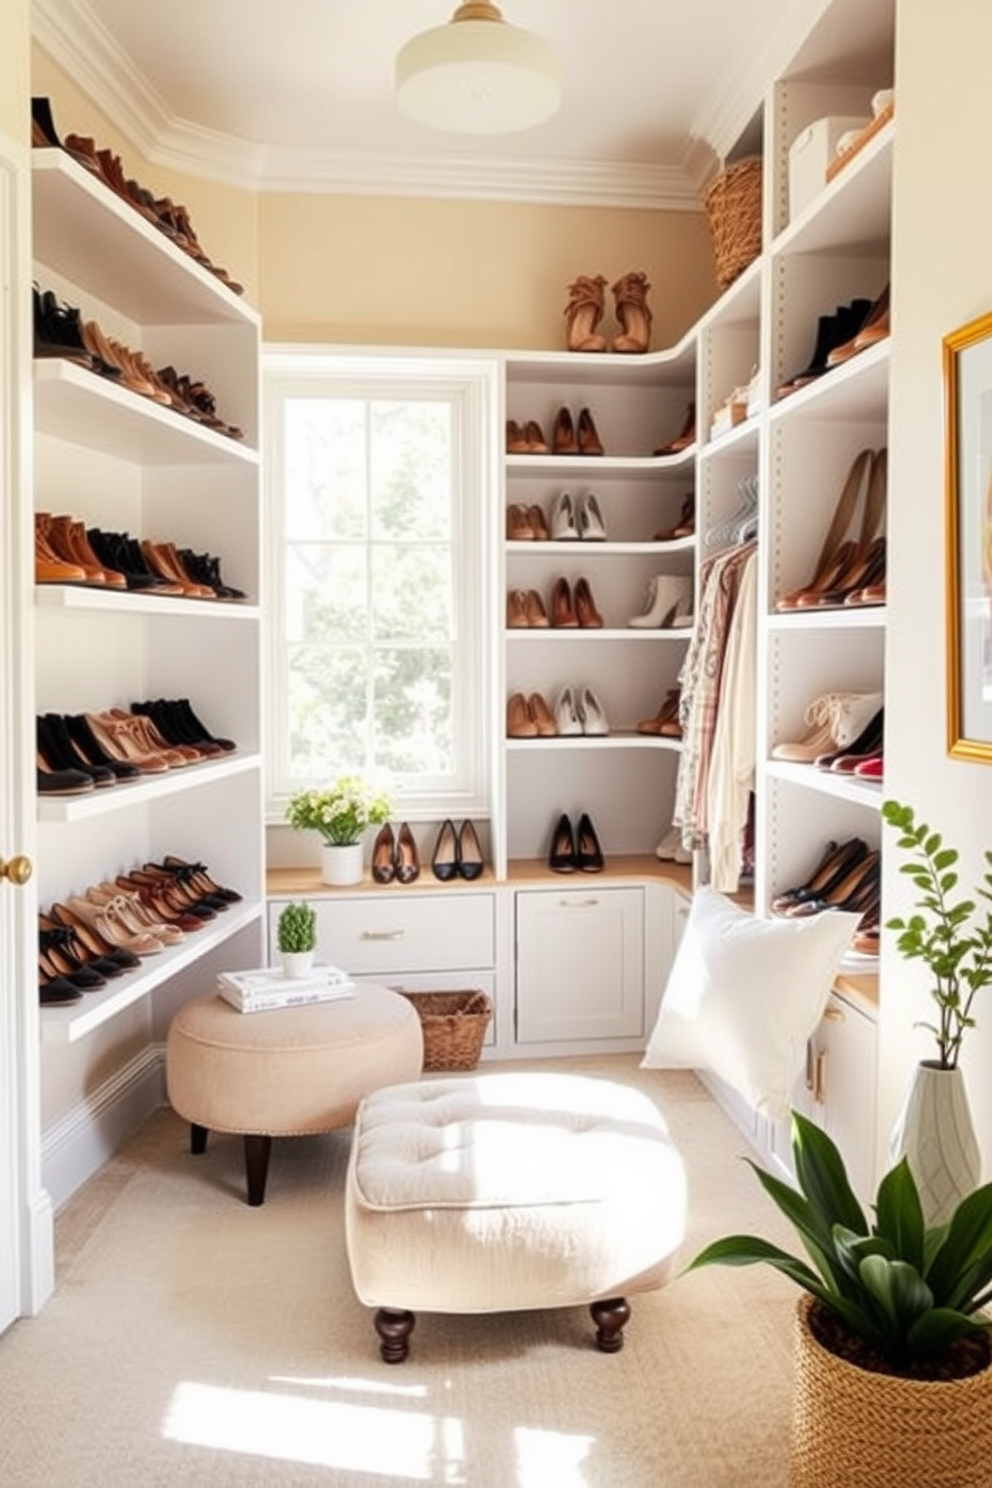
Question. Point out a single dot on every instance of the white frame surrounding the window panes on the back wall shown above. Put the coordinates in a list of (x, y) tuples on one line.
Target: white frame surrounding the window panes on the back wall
[(472, 385)]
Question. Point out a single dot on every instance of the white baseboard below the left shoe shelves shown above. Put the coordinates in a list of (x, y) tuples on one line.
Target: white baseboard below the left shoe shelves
[(86, 1138)]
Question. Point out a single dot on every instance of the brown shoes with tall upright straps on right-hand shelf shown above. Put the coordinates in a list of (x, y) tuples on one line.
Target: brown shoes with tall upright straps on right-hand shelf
[(851, 566)]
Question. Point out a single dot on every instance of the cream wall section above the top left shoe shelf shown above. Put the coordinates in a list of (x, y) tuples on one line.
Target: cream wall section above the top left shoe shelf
[(224, 218)]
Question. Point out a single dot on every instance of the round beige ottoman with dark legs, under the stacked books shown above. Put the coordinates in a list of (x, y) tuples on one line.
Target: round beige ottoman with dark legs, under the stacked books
[(291, 1072)]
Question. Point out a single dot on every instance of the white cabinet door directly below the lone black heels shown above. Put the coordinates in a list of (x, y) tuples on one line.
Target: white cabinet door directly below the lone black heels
[(579, 965)]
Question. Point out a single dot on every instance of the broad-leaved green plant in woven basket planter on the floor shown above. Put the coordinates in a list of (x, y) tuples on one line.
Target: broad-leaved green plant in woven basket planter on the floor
[(895, 1358)]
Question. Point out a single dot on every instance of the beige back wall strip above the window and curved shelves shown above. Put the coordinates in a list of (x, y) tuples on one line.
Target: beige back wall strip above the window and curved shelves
[(364, 270)]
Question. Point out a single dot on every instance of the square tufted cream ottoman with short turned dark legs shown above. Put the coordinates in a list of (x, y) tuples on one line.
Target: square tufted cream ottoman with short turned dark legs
[(499, 1193)]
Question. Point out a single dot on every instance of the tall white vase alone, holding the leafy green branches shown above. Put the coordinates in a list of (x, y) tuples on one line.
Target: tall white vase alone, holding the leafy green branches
[(936, 1133)]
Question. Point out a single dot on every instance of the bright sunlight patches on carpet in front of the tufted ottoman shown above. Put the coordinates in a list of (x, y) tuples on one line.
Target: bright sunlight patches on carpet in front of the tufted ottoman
[(374, 1440)]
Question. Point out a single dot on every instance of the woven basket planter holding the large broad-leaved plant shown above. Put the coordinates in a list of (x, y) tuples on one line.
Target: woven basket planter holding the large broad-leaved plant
[(854, 1429)]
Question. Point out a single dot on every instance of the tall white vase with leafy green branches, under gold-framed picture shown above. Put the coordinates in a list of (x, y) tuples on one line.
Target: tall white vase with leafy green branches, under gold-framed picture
[(954, 941)]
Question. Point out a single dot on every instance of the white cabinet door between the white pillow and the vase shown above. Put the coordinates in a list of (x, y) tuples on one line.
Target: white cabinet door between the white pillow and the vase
[(844, 1084)]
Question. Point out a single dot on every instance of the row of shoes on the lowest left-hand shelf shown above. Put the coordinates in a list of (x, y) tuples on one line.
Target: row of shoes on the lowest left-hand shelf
[(112, 928)]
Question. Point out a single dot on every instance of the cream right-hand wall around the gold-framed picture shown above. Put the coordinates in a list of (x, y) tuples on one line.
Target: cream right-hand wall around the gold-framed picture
[(942, 278)]
